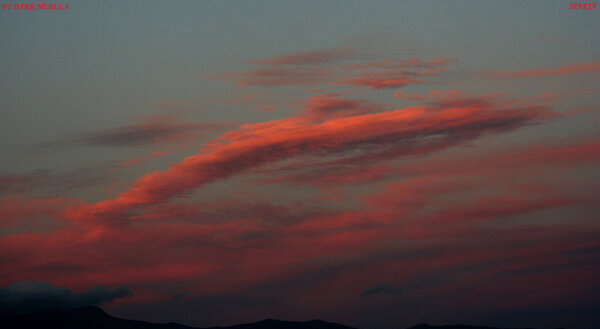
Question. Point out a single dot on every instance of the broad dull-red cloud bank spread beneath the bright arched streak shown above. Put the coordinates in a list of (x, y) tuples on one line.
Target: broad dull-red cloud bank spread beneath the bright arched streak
[(410, 227)]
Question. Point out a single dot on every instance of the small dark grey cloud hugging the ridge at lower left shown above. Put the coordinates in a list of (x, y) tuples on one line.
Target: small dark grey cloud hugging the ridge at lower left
[(31, 296)]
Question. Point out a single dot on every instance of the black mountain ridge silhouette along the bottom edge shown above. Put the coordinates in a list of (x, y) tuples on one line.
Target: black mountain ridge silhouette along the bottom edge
[(91, 317)]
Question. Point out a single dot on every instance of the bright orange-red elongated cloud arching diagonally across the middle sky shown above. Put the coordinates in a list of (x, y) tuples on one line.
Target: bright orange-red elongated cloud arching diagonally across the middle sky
[(378, 136)]
